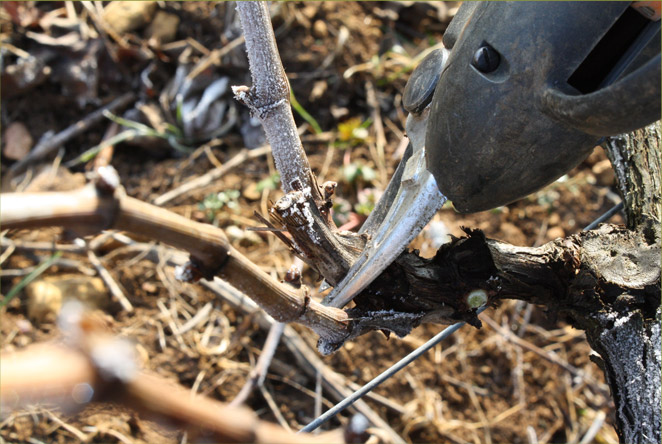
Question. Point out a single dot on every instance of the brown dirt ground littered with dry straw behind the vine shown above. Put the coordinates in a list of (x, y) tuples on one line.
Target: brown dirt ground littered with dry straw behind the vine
[(348, 64)]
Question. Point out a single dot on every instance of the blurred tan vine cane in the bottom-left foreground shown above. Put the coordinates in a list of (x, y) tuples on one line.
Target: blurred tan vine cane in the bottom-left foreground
[(96, 366)]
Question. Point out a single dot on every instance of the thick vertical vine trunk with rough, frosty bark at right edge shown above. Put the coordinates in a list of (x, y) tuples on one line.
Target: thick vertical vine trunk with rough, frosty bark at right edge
[(627, 335)]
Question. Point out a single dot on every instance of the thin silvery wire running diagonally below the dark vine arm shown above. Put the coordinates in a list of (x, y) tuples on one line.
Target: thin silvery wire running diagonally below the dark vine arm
[(342, 405)]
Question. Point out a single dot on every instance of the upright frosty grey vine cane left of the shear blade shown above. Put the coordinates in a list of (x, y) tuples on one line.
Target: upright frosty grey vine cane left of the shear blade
[(304, 210)]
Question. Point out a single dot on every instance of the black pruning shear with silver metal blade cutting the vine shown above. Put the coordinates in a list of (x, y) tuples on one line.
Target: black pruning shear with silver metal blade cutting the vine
[(520, 95)]
